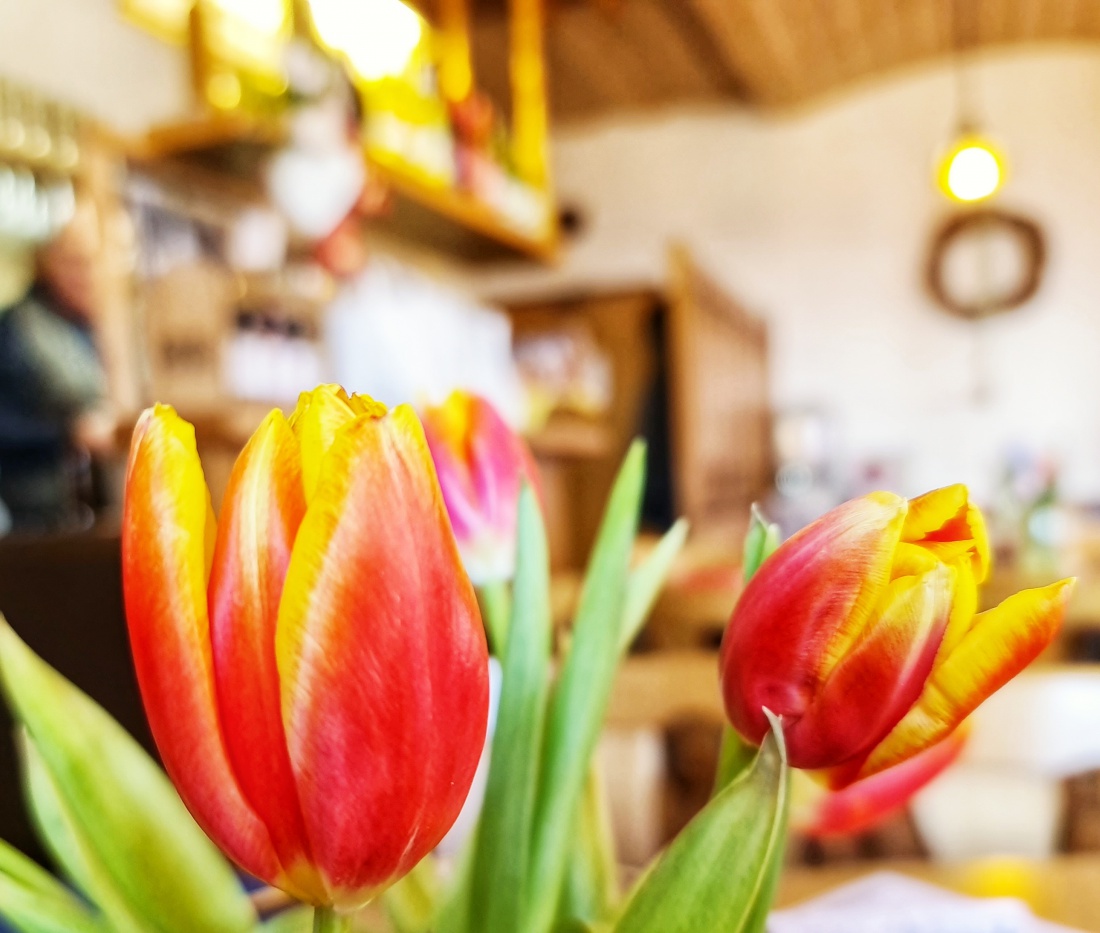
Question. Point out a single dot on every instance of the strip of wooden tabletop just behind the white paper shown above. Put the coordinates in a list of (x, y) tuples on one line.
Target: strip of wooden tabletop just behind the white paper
[(1065, 890)]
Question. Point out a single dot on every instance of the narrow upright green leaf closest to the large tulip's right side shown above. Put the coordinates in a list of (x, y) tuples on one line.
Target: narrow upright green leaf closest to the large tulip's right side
[(500, 879)]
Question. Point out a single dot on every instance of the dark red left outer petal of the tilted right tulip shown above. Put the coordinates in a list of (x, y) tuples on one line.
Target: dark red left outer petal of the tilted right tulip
[(817, 592)]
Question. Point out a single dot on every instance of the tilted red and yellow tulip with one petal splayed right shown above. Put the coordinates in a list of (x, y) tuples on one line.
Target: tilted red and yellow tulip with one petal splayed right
[(862, 633)]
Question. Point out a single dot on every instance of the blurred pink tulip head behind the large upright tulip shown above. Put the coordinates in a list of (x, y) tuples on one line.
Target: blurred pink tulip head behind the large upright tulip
[(482, 465)]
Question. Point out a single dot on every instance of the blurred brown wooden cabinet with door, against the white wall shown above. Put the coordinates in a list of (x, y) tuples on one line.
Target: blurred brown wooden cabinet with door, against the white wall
[(689, 370)]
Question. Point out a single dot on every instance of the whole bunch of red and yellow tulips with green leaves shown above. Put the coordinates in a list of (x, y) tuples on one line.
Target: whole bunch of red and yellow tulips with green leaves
[(316, 673)]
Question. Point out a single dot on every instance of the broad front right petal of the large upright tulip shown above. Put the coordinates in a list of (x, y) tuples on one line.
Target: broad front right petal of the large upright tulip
[(376, 588)]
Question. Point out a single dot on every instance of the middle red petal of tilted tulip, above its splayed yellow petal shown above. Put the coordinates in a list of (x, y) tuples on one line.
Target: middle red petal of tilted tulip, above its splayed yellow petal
[(881, 678)]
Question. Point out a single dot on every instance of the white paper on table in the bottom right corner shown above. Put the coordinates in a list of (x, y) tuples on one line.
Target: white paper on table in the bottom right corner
[(888, 903)]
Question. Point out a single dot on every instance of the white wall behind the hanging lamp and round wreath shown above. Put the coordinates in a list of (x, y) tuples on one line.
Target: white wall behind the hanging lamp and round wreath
[(820, 223)]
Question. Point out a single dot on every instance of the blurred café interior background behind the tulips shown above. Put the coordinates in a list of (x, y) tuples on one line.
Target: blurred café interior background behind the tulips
[(807, 250)]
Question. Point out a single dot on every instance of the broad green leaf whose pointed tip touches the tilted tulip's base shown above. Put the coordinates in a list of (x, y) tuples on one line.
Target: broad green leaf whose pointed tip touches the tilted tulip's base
[(719, 874)]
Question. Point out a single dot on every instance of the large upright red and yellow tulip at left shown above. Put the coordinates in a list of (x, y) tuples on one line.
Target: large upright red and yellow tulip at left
[(313, 665)]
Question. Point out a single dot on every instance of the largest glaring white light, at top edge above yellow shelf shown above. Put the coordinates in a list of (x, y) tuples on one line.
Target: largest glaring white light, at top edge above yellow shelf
[(378, 37)]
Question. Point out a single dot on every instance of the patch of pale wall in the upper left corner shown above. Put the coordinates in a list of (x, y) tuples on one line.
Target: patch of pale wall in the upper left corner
[(82, 52)]
